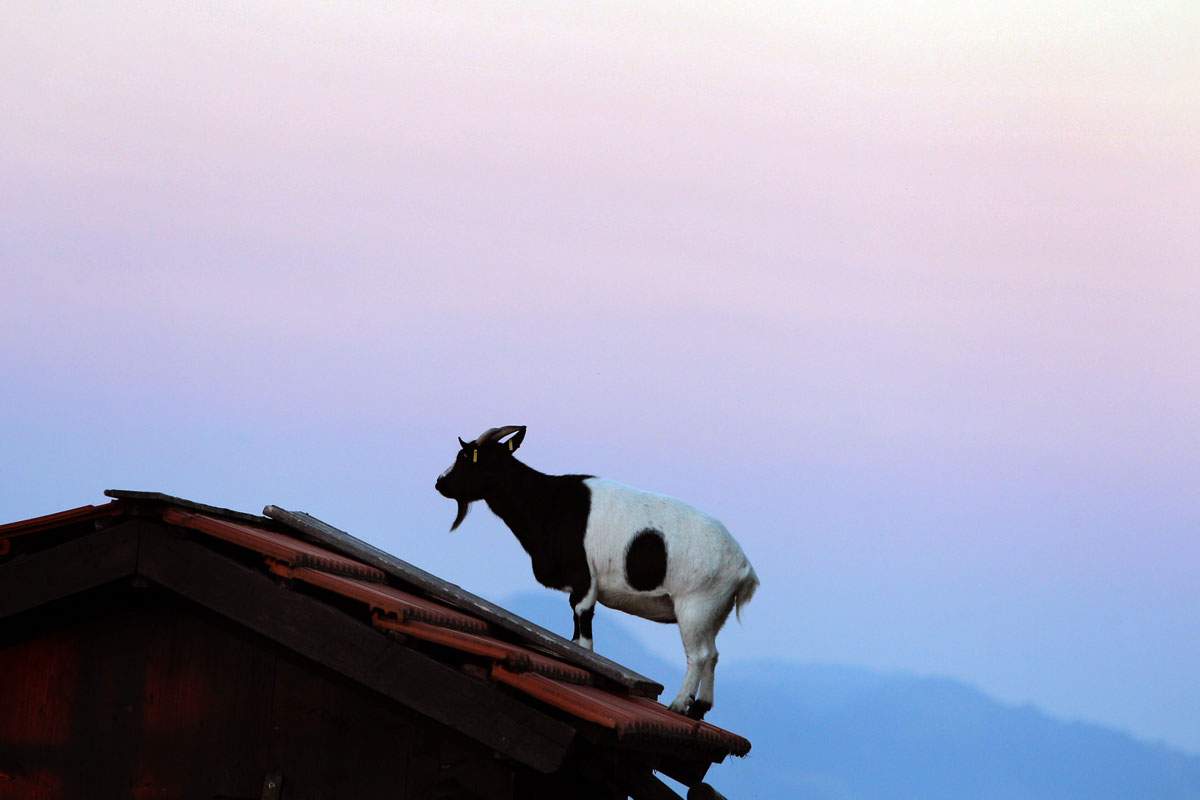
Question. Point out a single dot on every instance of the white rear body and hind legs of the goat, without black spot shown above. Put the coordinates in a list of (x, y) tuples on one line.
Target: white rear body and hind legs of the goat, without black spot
[(707, 574)]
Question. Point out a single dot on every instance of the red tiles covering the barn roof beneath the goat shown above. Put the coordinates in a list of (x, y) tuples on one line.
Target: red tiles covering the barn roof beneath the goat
[(571, 688)]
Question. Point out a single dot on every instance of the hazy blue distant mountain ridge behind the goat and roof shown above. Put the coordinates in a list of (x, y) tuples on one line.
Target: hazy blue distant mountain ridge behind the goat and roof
[(844, 733)]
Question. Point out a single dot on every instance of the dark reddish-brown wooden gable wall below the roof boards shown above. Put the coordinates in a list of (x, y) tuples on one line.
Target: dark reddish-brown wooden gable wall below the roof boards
[(130, 693)]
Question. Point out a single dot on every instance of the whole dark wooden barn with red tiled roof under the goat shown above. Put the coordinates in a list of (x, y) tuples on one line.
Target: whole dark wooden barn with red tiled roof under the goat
[(158, 648)]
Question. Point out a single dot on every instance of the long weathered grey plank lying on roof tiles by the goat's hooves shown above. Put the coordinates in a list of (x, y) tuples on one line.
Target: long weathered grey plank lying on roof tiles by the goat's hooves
[(529, 633)]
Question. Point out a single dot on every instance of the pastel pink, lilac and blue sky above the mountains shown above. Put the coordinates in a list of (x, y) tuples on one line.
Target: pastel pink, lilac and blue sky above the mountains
[(907, 294)]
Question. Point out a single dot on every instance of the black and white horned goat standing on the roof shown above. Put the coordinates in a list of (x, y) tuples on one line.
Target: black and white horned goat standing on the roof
[(643, 554)]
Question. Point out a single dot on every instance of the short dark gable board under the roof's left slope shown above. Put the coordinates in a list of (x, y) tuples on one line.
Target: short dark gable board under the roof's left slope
[(69, 569)]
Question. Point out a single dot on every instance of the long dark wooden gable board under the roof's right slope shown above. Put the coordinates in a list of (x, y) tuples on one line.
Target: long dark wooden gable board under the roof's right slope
[(355, 649)]
